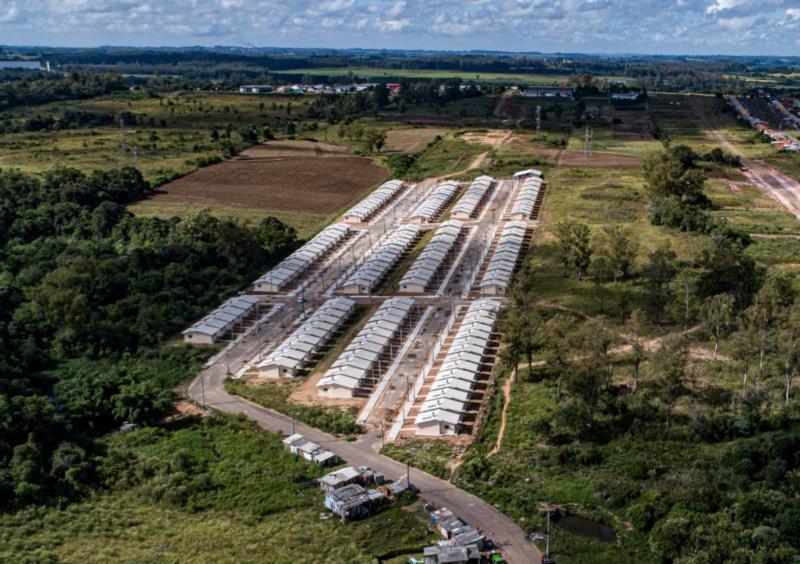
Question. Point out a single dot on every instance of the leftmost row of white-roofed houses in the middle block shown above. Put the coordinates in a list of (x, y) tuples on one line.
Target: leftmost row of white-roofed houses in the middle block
[(302, 259)]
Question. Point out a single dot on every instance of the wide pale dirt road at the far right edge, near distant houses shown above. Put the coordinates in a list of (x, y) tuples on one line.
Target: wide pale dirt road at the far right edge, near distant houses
[(780, 187)]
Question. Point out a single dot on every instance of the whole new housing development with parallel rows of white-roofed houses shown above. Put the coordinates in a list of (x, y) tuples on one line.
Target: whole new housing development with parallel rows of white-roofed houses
[(396, 309)]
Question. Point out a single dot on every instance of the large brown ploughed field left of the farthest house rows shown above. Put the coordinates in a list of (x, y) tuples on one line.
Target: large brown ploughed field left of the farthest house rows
[(279, 176)]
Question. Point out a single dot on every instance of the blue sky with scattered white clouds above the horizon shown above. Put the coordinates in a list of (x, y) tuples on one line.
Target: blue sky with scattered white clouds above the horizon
[(691, 27)]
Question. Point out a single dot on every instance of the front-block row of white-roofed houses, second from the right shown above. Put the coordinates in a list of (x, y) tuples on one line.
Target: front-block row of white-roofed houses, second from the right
[(371, 352)]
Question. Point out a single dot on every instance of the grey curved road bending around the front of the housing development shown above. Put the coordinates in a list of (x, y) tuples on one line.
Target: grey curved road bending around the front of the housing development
[(208, 387)]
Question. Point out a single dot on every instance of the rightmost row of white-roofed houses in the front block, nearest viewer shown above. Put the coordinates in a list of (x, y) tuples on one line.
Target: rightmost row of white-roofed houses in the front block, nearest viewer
[(452, 394)]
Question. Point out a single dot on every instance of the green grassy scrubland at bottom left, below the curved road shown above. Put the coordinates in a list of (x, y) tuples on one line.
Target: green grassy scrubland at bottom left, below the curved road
[(213, 491)]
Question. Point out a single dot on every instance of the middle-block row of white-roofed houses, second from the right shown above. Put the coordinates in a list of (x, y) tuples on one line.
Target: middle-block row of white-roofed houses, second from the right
[(433, 258)]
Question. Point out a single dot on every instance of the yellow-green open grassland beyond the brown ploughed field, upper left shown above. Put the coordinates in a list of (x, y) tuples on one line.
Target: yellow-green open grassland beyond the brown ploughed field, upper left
[(164, 136)]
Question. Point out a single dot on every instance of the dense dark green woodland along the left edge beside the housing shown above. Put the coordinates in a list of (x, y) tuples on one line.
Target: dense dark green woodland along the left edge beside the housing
[(89, 293)]
